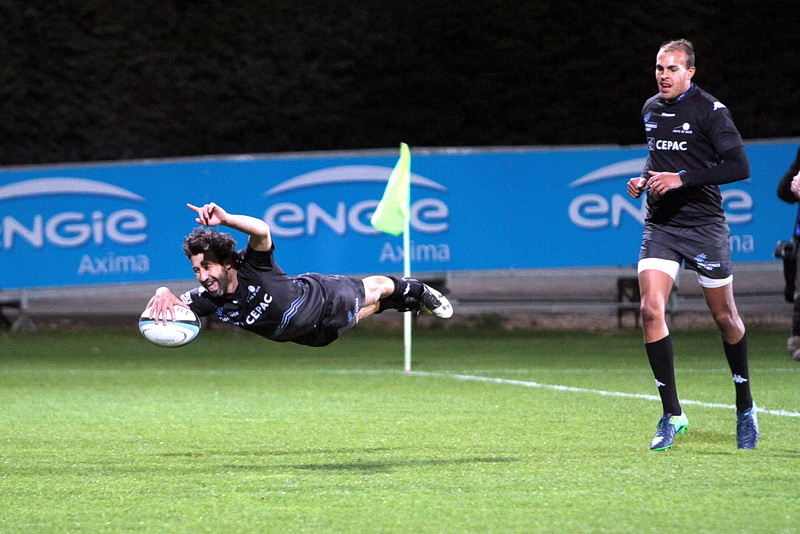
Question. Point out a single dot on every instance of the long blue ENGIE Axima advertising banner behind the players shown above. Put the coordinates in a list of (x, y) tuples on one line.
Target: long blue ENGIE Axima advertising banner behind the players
[(471, 209)]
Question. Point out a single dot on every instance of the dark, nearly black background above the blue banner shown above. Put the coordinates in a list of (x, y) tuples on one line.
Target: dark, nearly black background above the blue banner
[(102, 80)]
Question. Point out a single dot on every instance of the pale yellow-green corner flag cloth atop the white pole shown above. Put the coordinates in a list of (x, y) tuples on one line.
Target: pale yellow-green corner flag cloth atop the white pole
[(392, 212)]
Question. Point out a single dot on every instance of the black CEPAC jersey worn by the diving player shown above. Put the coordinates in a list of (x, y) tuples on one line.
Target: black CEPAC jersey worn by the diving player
[(266, 301)]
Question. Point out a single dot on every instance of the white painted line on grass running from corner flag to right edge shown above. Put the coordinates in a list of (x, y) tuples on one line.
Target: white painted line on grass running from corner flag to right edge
[(571, 389)]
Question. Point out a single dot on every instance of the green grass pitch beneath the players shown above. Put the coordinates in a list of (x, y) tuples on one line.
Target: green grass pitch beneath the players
[(498, 432)]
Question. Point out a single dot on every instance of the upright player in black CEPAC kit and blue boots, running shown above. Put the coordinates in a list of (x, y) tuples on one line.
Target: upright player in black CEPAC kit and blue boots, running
[(694, 147)]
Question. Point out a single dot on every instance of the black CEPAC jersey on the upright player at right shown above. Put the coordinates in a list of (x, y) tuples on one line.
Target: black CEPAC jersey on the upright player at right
[(687, 133)]
